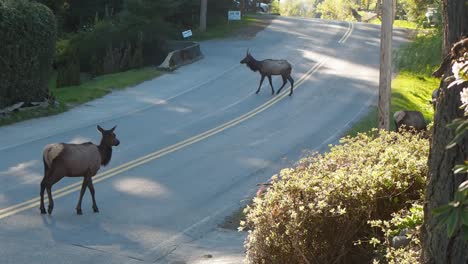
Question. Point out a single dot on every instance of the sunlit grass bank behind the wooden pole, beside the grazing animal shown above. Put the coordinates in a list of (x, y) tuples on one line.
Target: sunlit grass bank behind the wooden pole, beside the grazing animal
[(413, 86)]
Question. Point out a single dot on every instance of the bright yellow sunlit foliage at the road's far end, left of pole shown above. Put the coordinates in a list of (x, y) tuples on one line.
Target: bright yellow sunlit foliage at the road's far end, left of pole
[(337, 9)]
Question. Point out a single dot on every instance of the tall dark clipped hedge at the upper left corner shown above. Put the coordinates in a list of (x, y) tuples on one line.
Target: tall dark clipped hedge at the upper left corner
[(27, 34)]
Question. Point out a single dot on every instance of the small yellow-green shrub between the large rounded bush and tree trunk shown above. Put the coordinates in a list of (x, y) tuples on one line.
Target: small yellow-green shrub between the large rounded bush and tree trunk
[(406, 223)]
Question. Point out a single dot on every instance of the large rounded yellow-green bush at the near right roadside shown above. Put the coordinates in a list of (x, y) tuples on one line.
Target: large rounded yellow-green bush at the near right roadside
[(317, 210)]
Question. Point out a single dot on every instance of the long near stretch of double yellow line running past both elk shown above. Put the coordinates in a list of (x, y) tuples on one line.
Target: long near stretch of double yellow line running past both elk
[(14, 209)]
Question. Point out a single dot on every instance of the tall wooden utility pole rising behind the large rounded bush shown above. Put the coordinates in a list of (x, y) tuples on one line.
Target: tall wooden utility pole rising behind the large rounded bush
[(385, 81)]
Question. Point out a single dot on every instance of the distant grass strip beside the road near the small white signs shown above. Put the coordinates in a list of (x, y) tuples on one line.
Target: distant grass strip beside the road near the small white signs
[(224, 29)]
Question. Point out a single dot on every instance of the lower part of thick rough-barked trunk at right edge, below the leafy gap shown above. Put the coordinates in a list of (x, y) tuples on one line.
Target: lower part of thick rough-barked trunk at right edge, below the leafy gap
[(442, 183)]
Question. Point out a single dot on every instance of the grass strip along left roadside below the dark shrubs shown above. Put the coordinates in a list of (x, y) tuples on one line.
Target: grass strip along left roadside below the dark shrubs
[(75, 95)]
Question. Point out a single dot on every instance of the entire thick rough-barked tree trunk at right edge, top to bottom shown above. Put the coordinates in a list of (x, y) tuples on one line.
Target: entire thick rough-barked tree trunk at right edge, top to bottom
[(442, 182)]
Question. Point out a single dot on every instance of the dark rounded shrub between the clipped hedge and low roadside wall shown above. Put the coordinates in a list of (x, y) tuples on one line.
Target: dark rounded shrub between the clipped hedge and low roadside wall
[(113, 46)]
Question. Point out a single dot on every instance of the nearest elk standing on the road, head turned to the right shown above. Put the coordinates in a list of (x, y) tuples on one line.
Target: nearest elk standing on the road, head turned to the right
[(76, 160)]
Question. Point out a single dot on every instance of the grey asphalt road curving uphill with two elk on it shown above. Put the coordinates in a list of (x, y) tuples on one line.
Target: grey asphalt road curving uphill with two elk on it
[(194, 144)]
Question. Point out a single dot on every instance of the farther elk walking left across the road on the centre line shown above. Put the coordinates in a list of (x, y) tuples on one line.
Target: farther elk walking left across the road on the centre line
[(270, 67)]
